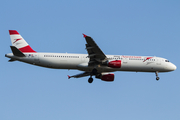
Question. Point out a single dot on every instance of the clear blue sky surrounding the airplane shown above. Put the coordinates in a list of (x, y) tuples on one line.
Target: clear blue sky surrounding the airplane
[(119, 27)]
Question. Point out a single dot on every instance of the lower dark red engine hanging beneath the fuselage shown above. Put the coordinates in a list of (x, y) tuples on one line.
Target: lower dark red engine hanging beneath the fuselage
[(108, 77)]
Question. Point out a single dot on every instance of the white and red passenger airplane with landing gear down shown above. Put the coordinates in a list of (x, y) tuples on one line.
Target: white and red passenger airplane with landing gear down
[(95, 63)]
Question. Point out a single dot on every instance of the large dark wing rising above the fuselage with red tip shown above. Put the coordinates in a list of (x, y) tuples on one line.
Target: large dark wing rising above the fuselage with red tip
[(95, 53)]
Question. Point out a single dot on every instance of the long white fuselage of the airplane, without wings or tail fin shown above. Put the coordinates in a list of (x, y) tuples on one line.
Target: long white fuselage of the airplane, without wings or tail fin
[(80, 62)]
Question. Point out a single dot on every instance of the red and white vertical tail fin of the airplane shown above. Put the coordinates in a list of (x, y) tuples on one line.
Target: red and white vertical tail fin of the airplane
[(18, 41)]
